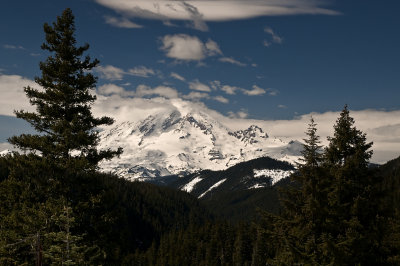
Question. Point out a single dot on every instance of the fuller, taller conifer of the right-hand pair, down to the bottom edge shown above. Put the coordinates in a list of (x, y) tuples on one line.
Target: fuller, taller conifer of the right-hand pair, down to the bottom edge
[(352, 236)]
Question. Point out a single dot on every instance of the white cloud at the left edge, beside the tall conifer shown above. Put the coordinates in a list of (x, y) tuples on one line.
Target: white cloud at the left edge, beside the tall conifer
[(12, 94)]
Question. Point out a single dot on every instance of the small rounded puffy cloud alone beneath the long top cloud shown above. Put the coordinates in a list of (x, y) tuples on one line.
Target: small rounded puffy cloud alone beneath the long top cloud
[(188, 48)]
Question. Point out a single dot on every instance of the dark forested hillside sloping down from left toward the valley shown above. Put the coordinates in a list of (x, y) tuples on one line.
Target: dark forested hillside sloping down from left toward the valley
[(105, 217)]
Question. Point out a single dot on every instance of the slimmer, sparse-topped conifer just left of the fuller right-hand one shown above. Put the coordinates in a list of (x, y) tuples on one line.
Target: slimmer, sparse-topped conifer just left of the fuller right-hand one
[(305, 206)]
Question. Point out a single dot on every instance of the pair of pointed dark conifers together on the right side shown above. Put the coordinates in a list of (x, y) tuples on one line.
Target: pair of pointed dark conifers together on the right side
[(333, 213)]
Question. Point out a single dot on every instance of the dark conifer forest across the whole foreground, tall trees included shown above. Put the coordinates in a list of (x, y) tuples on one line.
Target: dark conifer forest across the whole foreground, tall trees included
[(57, 208)]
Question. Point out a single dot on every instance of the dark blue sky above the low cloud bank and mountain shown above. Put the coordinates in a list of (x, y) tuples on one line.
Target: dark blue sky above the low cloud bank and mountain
[(312, 63)]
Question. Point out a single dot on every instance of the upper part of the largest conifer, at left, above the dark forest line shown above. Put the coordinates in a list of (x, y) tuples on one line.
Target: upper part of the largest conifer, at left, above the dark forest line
[(63, 115)]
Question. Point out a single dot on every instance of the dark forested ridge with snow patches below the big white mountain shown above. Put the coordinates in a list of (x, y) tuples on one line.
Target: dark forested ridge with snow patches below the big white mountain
[(238, 192)]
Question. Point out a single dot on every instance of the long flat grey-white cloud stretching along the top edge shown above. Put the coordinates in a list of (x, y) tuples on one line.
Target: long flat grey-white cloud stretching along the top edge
[(199, 11)]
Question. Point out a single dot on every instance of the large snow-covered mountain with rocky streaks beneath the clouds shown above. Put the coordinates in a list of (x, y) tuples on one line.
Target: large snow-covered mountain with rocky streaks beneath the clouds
[(183, 139)]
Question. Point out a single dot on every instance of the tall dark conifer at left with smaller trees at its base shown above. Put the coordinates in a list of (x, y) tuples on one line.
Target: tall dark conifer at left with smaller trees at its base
[(37, 201)]
